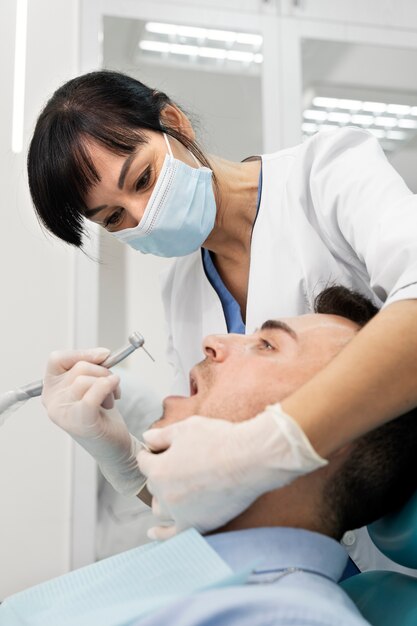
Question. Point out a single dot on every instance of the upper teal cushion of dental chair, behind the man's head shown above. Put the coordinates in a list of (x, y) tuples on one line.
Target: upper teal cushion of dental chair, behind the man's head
[(396, 534)]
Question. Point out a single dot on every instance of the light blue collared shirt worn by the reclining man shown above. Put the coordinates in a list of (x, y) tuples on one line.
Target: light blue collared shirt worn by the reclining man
[(294, 584)]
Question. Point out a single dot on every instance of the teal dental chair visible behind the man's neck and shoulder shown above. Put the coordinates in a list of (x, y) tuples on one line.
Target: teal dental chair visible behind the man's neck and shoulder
[(390, 598)]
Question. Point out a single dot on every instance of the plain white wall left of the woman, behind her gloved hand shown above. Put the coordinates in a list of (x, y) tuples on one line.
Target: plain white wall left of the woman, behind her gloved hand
[(35, 316)]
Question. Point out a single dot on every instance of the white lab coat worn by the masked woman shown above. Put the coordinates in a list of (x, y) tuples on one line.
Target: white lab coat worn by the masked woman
[(332, 211)]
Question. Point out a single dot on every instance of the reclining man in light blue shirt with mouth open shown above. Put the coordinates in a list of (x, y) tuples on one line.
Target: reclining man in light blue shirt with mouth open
[(292, 533)]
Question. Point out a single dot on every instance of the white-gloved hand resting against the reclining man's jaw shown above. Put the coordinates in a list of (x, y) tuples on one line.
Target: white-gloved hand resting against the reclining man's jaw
[(212, 470)]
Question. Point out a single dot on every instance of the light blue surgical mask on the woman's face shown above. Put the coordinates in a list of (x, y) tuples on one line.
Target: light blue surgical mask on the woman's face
[(180, 213)]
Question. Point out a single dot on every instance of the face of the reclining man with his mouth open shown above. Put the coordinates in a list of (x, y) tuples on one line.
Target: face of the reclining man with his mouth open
[(241, 374)]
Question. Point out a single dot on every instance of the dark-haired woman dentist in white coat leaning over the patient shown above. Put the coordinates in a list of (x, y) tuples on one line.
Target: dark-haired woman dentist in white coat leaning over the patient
[(254, 240)]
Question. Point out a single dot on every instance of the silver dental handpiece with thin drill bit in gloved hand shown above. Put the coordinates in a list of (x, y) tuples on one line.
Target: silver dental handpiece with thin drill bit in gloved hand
[(32, 390)]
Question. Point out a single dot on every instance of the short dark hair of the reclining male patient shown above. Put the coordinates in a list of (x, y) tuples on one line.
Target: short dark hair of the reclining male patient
[(380, 473)]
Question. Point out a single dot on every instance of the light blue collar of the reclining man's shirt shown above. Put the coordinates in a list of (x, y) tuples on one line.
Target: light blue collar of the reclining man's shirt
[(275, 549)]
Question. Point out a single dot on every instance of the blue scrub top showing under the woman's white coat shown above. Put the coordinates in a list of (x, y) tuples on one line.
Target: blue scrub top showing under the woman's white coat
[(231, 308)]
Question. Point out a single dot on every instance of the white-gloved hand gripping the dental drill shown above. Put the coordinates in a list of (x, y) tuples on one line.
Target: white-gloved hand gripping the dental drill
[(78, 395)]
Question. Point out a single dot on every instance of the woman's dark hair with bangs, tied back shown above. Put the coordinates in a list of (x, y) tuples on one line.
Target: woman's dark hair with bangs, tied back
[(111, 109)]
